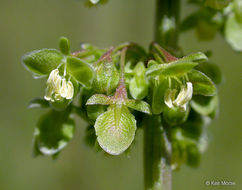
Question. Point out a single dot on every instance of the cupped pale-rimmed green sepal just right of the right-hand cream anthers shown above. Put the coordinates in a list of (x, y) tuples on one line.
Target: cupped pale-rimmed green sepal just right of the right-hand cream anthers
[(205, 105)]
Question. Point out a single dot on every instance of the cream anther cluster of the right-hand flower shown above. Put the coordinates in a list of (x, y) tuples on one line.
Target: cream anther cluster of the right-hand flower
[(182, 99)]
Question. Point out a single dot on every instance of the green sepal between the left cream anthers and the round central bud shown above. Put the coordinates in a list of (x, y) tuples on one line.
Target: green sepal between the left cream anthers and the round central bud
[(81, 71)]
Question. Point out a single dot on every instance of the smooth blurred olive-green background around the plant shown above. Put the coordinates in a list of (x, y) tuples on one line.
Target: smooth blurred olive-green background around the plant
[(27, 25)]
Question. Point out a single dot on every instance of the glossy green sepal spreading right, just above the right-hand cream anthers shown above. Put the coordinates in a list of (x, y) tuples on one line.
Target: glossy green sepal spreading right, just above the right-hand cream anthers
[(202, 84)]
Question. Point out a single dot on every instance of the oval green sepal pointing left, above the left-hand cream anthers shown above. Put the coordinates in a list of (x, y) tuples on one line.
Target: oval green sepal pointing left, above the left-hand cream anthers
[(42, 62)]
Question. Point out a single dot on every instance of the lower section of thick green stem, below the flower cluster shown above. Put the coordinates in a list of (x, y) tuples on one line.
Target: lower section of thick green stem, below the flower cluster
[(156, 155)]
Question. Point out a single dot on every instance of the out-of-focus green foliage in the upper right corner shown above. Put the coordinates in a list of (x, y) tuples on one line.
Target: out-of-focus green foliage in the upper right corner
[(217, 16)]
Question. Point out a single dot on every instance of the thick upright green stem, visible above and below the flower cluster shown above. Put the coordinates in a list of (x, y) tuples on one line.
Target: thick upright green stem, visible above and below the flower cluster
[(157, 148)]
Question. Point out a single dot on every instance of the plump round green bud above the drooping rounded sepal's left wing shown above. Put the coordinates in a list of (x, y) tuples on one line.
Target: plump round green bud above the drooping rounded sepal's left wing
[(107, 77)]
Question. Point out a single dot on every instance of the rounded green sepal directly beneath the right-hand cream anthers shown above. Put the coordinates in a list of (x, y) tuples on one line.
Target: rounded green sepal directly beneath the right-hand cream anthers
[(175, 115)]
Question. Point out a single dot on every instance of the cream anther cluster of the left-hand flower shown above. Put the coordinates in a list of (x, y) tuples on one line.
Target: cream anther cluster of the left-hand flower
[(58, 88)]
